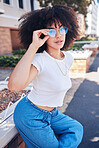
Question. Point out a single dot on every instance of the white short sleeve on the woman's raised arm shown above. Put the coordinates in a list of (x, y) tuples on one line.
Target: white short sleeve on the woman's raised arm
[(37, 62)]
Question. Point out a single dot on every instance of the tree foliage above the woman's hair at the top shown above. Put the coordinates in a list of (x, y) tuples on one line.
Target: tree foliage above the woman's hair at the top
[(79, 6)]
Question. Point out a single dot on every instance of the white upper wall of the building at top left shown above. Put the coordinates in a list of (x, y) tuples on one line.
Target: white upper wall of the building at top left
[(12, 12)]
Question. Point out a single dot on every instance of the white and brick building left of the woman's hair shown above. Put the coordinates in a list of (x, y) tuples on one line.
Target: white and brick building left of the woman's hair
[(10, 12)]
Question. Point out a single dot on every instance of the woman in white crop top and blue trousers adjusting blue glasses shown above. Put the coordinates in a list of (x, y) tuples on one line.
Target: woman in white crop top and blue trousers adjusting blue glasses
[(46, 33)]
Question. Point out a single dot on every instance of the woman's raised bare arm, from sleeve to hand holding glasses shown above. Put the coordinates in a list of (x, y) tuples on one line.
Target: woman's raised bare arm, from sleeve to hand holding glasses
[(25, 72)]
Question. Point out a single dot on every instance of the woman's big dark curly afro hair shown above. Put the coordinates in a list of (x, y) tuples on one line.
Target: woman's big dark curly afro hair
[(39, 19)]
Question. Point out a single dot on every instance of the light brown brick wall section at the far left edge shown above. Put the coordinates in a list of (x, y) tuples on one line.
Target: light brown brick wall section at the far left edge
[(5, 40)]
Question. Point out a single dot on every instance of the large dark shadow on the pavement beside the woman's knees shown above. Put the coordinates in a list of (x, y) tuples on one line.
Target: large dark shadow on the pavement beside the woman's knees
[(84, 107)]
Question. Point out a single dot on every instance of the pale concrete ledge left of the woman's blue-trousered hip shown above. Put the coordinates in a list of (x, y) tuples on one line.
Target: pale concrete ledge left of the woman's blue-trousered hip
[(7, 126)]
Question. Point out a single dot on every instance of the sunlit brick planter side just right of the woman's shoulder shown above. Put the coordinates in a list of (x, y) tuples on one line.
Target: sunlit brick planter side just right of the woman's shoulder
[(80, 65)]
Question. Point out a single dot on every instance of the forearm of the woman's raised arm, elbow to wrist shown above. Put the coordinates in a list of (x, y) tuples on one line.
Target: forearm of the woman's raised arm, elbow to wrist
[(20, 74)]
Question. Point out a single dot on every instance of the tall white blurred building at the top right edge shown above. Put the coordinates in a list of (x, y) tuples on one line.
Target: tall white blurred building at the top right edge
[(92, 20)]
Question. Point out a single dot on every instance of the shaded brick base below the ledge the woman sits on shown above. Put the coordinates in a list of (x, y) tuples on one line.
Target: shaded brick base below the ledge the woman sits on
[(16, 142)]
